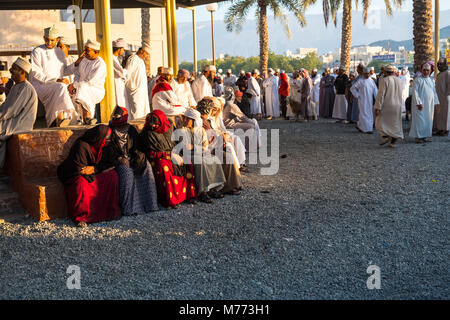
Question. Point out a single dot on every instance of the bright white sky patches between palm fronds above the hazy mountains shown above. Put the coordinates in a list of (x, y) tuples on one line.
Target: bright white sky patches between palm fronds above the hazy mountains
[(202, 14)]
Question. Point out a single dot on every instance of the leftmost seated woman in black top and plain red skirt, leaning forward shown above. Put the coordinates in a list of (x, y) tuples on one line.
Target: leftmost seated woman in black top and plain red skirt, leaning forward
[(92, 189)]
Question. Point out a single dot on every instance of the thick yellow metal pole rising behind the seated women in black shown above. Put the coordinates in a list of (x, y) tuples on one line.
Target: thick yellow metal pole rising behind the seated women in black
[(103, 30)]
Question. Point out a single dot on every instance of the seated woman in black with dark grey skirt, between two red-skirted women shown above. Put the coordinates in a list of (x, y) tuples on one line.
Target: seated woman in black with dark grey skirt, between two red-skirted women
[(137, 189)]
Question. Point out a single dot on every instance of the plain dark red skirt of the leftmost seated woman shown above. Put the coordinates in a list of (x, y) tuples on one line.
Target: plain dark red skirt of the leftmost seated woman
[(93, 202)]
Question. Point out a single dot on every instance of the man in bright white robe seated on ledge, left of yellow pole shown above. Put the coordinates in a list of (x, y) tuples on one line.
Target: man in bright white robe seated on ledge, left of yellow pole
[(48, 77)]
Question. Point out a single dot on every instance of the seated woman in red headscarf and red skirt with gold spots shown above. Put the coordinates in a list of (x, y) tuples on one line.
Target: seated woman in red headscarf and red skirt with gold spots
[(174, 179)]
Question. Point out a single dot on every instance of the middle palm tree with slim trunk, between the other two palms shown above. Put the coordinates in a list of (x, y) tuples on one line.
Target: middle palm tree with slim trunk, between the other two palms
[(330, 8)]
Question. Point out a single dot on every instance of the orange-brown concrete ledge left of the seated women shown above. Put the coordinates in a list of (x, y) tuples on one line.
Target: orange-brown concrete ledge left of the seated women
[(32, 159)]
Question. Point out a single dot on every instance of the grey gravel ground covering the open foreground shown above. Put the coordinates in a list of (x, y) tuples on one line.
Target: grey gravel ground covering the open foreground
[(338, 204)]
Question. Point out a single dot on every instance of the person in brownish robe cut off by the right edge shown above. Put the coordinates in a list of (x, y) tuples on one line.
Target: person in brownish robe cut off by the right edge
[(443, 91)]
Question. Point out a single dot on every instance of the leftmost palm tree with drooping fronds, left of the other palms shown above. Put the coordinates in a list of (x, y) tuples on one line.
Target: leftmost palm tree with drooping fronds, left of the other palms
[(236, 14)]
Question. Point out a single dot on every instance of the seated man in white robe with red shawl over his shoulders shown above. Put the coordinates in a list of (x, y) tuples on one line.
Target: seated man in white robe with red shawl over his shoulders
[(164, 98)]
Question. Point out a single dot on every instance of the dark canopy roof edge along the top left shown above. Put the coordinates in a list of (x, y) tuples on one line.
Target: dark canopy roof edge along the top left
[(89, 4)]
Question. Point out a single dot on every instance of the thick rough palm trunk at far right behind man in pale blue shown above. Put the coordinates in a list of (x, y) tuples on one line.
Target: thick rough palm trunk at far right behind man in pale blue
[(423, 32)]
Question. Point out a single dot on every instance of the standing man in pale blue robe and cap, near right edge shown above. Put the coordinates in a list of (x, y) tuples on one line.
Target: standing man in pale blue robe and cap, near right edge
[(424, 100)]
